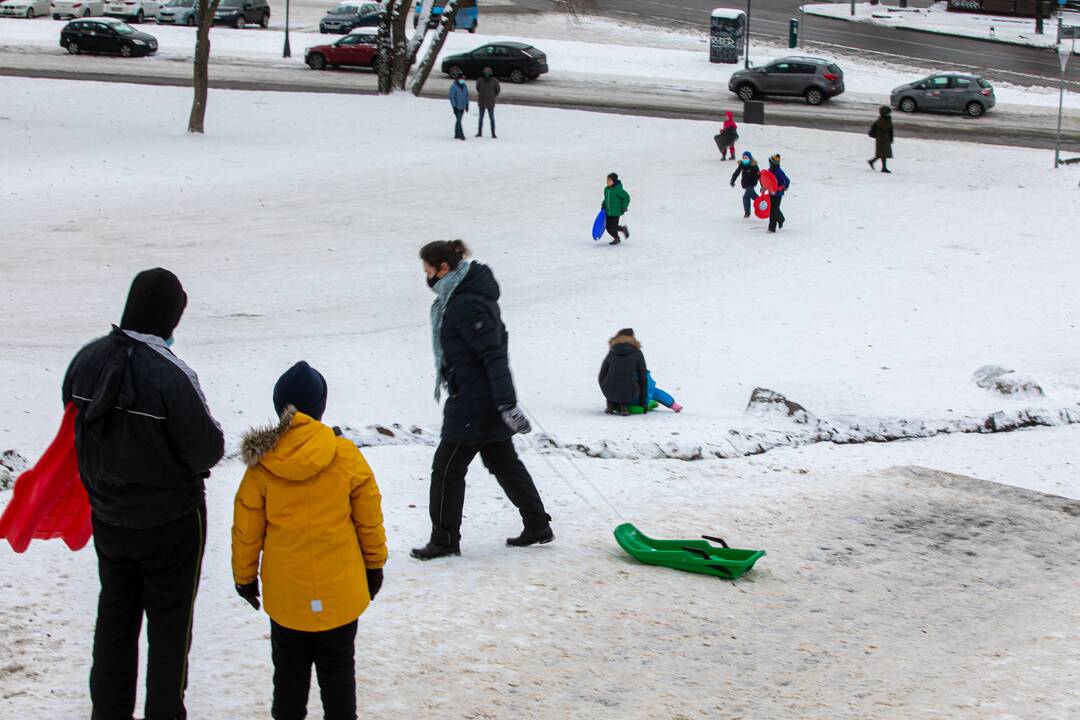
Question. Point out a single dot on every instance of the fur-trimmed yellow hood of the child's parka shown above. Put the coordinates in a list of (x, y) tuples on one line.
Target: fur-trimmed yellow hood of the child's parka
[(298, 449)]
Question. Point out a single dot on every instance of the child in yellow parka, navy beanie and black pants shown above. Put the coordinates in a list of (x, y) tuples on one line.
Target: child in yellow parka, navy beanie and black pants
[(310, 507)]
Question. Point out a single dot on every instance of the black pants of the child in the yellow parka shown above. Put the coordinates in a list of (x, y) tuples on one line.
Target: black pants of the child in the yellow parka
[(333, 655)]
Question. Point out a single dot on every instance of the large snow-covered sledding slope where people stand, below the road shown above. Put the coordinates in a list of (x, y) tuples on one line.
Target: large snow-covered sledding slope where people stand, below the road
[(295, 225)]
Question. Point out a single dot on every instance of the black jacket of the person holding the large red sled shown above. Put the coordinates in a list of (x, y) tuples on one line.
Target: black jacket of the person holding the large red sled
[(145, 439)]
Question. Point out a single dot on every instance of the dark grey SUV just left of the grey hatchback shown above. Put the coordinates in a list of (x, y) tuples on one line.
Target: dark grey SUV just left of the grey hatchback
[(813, 78)]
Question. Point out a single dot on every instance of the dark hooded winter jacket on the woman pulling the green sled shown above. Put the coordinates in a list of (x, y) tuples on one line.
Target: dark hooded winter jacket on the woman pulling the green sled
[(477, 364)]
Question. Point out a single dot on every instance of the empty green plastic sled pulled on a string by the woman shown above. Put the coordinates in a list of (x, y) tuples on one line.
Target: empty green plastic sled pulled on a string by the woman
[(690, 555)]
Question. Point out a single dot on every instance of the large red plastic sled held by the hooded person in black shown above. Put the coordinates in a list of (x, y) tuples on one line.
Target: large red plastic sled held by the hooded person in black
[(49, 500)]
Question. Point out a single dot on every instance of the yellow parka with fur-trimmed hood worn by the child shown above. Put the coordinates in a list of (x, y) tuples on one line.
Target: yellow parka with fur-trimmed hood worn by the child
[(310, 506)]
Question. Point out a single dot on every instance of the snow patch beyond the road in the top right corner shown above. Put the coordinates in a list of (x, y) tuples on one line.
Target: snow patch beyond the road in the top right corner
[(937, 19)]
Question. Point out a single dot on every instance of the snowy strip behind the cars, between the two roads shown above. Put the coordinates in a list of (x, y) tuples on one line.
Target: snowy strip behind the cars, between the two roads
[(592, 50)]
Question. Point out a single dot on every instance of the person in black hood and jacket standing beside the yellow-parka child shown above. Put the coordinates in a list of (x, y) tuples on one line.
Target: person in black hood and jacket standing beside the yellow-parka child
[(146, 442)]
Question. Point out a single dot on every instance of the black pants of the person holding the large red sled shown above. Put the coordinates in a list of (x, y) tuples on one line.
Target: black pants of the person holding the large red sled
[(154, 572)]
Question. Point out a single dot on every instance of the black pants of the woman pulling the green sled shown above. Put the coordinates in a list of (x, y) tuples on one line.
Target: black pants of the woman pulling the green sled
[(448, 496)]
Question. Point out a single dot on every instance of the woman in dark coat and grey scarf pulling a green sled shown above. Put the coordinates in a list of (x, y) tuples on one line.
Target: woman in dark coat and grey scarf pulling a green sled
[(481, 416)]
